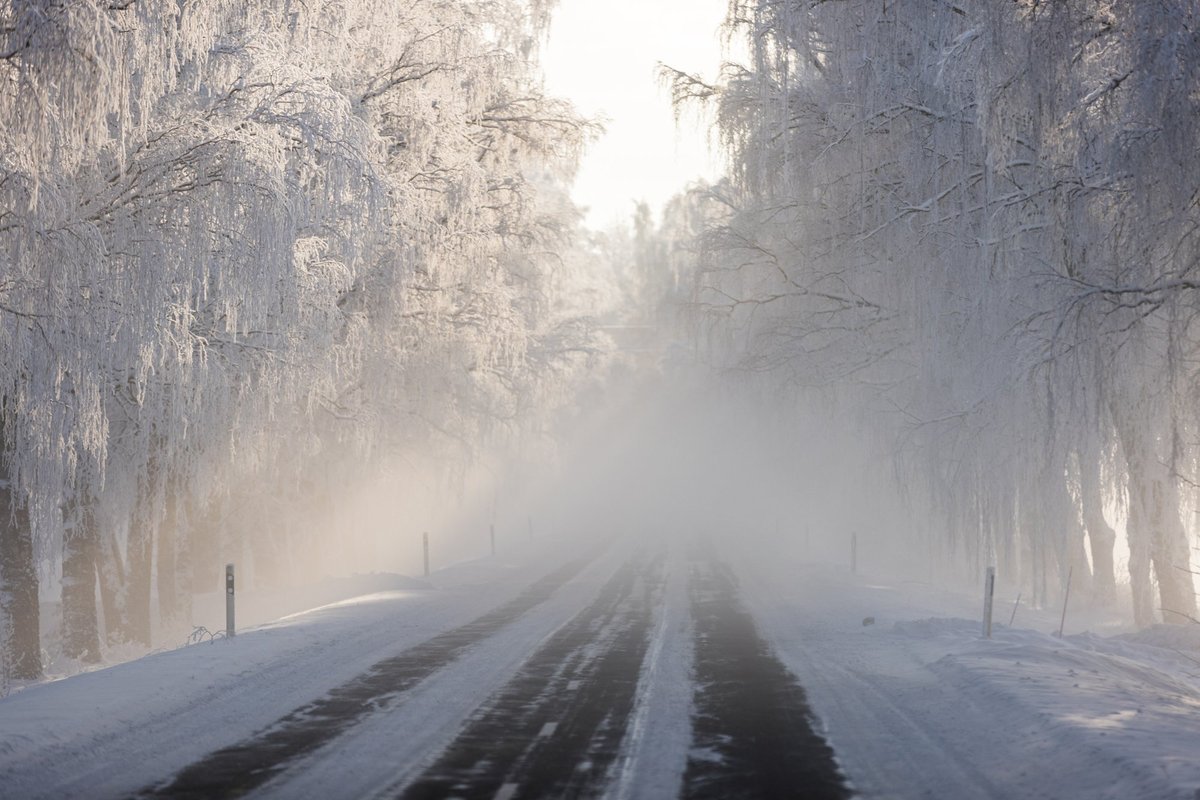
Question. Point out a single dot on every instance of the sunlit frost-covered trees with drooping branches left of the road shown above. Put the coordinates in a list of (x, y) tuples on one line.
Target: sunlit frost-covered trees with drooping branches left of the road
[(244, 245)]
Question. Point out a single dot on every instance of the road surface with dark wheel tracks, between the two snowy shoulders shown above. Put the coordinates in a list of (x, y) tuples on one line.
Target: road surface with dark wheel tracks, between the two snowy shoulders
[(559, 726)]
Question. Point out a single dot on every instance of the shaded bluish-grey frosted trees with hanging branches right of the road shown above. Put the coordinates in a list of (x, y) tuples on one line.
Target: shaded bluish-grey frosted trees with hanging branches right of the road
[(974, 225)]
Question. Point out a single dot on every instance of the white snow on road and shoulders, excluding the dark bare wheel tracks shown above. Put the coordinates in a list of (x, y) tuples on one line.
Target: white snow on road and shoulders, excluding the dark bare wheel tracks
[(916, 705)]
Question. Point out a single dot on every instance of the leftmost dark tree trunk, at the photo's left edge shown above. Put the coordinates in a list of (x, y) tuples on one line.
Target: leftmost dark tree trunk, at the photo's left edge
[(19, 590)]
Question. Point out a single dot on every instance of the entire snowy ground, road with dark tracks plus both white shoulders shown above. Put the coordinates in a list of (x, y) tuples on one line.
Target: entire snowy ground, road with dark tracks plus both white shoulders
[(622, 672)]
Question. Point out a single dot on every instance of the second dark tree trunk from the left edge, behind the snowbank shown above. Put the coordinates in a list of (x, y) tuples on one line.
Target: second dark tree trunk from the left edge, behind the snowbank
[(81, 624)]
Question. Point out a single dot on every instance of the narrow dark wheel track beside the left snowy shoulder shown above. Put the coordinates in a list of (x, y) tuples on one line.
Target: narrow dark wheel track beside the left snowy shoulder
[(236, 771)]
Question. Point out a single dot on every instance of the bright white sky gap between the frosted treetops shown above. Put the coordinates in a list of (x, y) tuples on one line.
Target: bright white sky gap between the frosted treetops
[(603, 56)]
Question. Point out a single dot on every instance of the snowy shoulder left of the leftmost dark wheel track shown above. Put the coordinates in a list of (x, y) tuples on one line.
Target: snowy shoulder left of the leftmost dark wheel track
[(112, 732)]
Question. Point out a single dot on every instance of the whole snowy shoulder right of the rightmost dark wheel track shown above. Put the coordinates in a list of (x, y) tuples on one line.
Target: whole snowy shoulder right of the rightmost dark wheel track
[(921, 707)]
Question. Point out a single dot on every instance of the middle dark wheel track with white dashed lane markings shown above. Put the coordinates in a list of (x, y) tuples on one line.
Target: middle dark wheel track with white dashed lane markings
[(556, 730)]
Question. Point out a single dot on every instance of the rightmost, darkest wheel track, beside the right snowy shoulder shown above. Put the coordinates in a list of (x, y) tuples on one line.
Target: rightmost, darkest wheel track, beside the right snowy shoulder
[(753, 732)]
